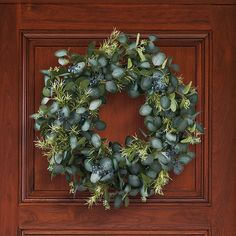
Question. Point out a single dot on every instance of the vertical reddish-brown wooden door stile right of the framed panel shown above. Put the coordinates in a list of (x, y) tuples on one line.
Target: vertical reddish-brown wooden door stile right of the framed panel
[(223, 122)]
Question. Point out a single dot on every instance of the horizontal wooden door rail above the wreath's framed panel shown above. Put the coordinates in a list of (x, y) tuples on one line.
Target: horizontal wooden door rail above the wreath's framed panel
[(125, 17)]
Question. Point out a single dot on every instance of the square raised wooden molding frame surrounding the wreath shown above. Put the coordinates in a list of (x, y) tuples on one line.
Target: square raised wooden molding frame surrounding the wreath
[(31, 40)]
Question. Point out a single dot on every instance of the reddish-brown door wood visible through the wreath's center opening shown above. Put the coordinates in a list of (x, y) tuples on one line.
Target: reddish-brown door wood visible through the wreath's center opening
[(121, 116)]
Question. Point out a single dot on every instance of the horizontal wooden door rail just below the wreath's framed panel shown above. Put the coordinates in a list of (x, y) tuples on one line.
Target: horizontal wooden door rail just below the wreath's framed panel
[(136, 217)]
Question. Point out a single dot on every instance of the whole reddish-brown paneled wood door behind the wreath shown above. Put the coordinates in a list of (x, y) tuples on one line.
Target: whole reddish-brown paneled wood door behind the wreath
[(200, 35)]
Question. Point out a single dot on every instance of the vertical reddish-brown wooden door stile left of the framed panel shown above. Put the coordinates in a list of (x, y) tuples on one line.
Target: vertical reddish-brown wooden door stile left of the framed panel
[(9, 121)]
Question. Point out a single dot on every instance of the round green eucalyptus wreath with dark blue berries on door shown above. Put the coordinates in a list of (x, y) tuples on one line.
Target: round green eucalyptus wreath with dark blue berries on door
[(68, 120)]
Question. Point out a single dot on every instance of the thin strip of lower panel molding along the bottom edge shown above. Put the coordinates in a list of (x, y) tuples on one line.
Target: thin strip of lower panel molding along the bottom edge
[(176, 232)]
